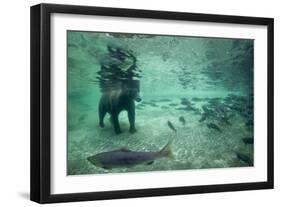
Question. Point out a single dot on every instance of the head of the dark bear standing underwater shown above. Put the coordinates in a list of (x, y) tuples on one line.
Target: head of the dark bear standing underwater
[(131, 88)]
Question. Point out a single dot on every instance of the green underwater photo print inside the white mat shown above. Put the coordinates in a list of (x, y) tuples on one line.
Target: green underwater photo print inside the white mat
[(142, 102)]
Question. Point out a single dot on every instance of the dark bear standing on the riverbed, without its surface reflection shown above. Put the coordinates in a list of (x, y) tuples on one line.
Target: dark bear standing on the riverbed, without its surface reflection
[(119, 99)]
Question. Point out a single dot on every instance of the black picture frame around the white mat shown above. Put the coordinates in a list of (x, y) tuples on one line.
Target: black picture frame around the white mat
[(41, 102)]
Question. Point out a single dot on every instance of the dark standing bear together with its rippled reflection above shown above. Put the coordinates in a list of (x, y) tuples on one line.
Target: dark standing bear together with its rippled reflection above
[(119, 83)]
